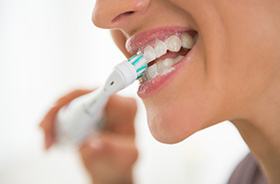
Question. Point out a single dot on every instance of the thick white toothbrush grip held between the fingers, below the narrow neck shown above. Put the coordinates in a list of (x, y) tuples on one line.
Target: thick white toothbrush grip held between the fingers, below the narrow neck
[(82, 116)]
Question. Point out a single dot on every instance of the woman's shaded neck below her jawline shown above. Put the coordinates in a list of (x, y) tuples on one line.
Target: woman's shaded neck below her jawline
[(261, 131)]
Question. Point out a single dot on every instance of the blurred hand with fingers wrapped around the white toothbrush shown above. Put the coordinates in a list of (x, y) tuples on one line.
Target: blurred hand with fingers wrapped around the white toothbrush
[(109, 156)]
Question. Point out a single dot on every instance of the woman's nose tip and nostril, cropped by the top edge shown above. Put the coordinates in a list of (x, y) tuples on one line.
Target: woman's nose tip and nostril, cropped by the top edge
[(111, 14)]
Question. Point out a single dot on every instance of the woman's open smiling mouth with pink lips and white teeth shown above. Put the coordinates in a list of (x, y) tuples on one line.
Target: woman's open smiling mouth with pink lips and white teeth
[(165, 49)]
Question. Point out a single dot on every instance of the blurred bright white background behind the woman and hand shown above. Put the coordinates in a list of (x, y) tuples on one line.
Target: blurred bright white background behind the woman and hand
[(49, 47)]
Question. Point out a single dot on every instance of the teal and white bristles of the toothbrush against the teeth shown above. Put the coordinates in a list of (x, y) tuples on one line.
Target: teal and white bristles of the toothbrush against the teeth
[(139, 62)]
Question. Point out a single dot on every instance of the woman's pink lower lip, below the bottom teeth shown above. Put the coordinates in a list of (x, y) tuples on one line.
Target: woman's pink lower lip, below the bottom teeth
[(149, 88)]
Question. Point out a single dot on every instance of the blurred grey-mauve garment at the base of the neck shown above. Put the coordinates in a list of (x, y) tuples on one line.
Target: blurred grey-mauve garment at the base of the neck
[(248, 172)]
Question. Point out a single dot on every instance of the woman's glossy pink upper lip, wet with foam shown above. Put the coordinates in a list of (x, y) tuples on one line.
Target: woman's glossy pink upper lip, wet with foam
[(142, 39)]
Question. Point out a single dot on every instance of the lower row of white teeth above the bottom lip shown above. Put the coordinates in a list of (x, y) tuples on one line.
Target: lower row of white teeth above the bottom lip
[(161, 68)]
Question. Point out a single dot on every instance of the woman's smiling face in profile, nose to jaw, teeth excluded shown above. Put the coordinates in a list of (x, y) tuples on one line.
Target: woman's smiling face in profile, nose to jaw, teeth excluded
[(228, 70)]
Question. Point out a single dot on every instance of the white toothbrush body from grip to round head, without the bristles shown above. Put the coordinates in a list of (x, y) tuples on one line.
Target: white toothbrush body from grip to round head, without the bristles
[(83, 115)]
